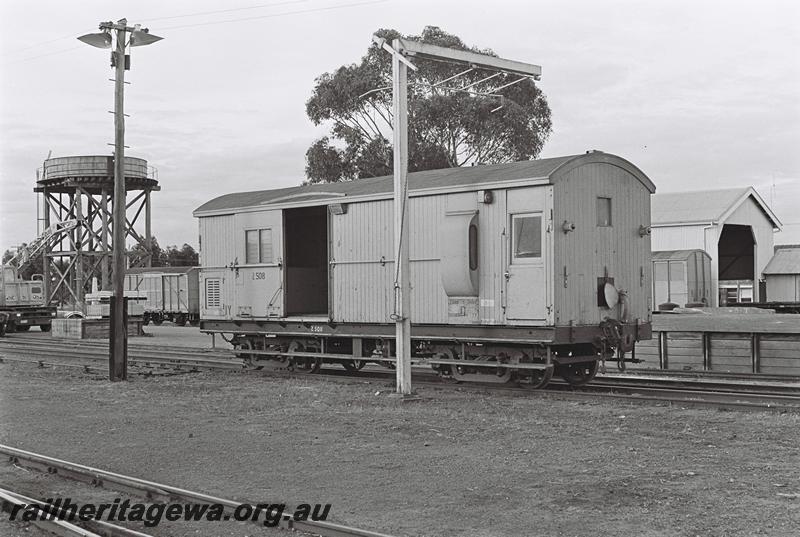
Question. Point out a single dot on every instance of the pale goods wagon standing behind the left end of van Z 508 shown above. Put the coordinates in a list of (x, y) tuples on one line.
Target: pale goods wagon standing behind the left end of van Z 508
[(172, 293)]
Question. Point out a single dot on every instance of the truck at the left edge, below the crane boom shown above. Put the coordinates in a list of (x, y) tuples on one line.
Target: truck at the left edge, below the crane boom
[(22, 303)]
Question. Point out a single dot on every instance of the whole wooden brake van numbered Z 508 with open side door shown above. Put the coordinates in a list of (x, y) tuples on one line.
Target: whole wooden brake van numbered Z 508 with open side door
[(519, 271)]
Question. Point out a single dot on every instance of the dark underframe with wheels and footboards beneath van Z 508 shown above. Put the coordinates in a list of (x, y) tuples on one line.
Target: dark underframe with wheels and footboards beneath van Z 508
[(466, 353)]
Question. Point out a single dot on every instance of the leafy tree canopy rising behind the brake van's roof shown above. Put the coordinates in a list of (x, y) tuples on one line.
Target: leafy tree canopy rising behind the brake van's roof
[(445, 129)]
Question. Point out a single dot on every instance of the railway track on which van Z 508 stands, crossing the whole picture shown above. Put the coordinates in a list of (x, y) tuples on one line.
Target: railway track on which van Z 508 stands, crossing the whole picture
[(735, 391)]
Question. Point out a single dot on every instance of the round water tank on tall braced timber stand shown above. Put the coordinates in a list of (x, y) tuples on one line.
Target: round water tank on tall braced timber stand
[(81, 189)]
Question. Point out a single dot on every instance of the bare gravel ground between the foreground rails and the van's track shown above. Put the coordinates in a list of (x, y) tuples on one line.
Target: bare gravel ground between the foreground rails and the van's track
[(453, 463)]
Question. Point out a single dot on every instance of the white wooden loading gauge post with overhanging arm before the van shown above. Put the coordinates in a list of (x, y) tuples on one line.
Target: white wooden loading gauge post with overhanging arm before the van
[(400, 49)]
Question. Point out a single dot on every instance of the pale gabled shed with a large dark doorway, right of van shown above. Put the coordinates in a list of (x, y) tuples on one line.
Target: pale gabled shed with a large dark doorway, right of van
[(734, 226)]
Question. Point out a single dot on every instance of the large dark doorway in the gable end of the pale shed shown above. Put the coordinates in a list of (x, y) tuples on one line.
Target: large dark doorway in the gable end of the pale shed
[(736, 264)]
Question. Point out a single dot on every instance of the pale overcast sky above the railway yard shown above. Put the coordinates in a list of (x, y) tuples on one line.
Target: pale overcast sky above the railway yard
[(698, 94)]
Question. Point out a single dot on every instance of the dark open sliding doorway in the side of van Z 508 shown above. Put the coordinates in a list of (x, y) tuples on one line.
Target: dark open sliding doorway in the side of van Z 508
[(306, 260)]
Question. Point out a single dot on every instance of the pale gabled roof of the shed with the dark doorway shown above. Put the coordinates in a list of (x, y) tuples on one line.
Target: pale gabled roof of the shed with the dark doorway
[(704, 206)]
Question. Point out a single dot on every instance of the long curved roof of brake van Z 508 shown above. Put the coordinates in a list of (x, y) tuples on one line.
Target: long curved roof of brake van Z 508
[(431, 179)]
